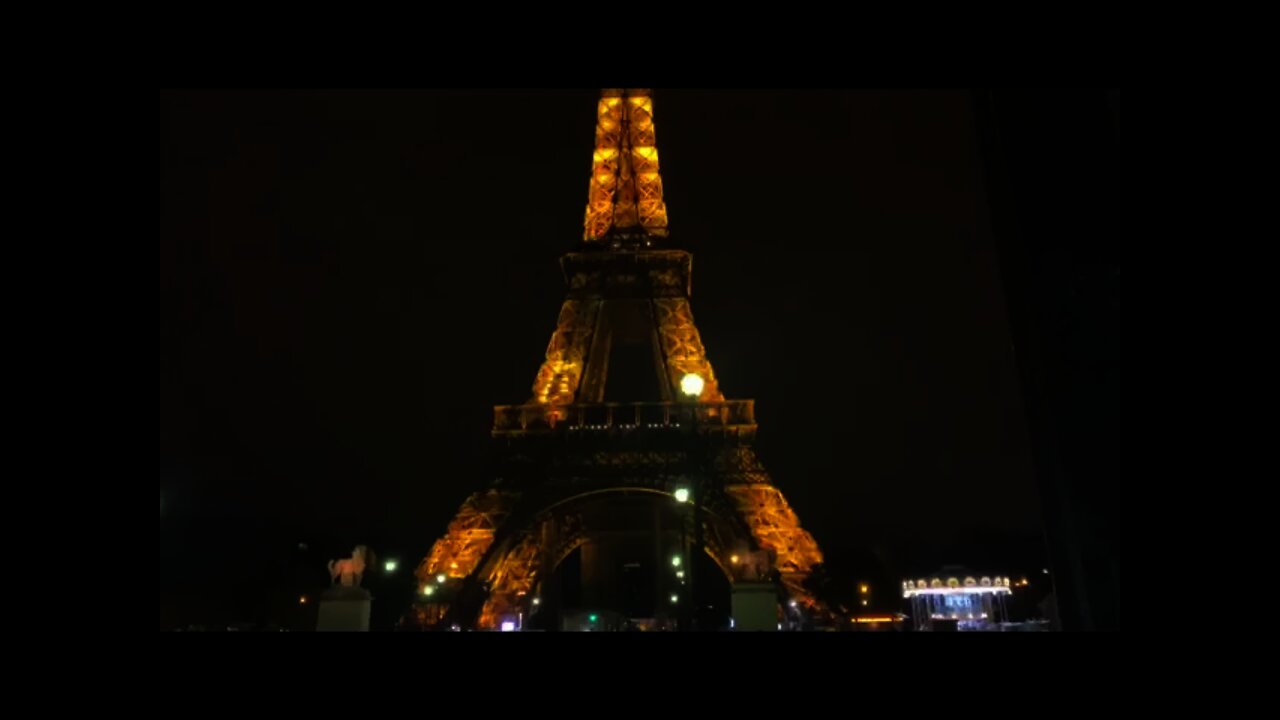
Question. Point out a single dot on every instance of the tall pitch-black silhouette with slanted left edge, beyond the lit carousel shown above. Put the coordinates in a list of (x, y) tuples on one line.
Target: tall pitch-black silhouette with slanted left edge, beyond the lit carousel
[(1054, 175)]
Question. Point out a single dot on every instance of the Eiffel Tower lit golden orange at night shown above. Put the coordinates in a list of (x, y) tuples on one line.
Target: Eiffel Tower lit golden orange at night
[(628, 446)]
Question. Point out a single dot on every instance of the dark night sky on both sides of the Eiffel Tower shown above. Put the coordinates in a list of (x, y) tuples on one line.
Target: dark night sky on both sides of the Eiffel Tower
[(351, 280)]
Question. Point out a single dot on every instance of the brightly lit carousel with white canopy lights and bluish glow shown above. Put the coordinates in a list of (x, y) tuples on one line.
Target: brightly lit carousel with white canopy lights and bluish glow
[(958, 601)]
